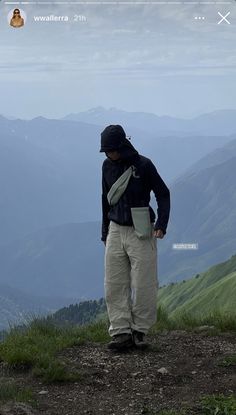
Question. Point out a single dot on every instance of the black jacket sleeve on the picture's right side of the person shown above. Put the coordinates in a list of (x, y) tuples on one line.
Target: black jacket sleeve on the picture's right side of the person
[(162, 195)]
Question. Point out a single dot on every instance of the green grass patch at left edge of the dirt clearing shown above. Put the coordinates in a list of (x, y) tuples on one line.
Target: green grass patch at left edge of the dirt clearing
[(35, 346)]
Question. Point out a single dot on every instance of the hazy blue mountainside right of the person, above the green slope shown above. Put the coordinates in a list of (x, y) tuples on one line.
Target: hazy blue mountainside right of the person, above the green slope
[(203, 212)]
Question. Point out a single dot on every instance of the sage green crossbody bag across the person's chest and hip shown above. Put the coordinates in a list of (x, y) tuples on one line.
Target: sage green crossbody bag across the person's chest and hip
[(140, 215)]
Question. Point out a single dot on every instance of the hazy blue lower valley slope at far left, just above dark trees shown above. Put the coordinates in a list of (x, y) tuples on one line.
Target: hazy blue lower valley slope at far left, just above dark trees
[(17, 307)]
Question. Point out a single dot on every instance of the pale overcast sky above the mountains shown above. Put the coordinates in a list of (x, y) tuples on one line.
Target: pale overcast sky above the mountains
[(151, 58)]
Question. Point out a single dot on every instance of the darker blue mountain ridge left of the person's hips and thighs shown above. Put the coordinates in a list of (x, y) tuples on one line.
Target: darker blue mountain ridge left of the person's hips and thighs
[(61, 261)]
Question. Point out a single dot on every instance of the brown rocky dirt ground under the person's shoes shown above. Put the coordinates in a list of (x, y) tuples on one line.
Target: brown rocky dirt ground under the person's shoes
[(134, 382)]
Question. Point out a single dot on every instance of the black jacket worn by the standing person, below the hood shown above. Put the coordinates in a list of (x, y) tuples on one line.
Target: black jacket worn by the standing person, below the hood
[(144, 180)]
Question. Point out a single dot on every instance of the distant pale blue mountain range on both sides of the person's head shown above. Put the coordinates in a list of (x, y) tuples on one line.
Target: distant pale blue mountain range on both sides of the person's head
[(43, 164)]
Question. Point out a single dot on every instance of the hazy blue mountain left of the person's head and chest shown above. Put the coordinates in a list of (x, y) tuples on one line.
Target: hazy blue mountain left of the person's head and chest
[(42, 173)]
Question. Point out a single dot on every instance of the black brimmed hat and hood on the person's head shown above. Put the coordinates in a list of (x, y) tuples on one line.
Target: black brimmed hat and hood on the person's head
[(113, 138)]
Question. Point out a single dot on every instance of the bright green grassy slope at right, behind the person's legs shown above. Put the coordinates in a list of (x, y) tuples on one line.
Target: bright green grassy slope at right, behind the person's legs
[(215, 288)]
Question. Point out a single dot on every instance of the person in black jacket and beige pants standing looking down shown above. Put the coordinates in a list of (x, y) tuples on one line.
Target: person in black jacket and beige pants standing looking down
[(131, 281)]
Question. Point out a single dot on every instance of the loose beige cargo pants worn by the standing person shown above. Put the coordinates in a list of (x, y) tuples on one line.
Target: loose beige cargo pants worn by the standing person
[(131, 281)]
